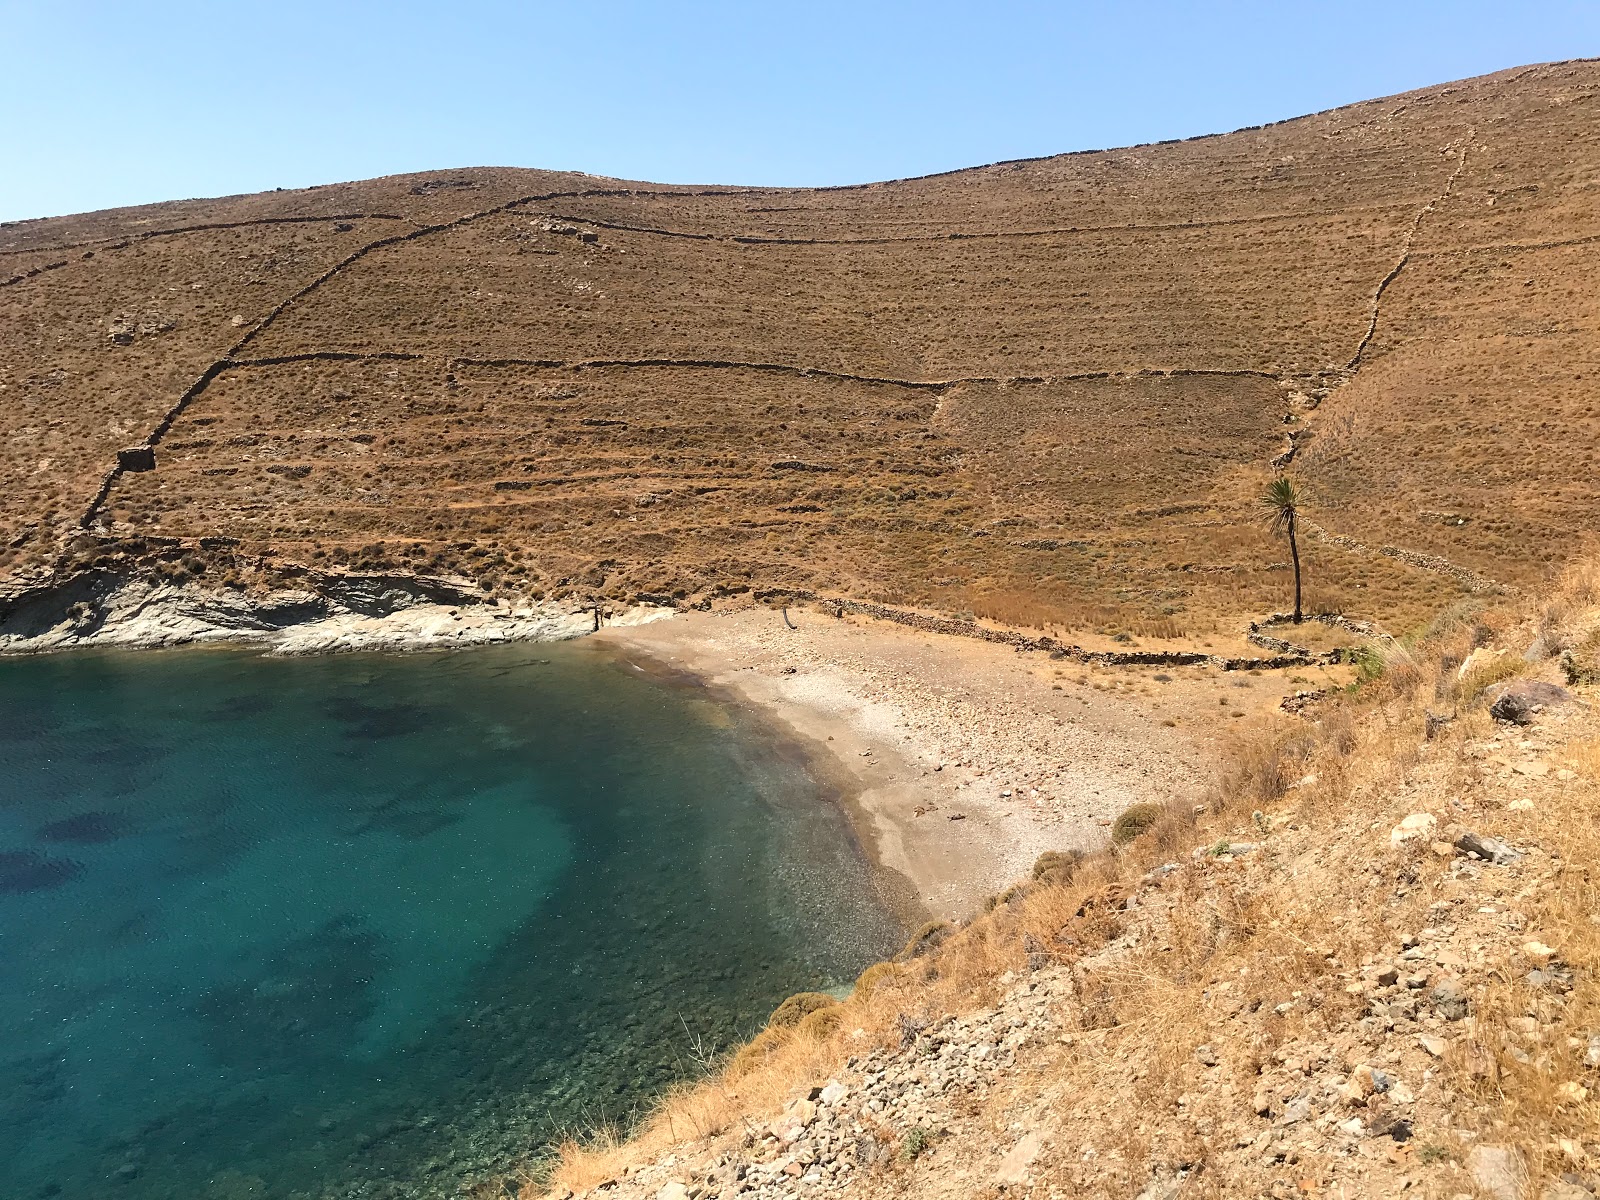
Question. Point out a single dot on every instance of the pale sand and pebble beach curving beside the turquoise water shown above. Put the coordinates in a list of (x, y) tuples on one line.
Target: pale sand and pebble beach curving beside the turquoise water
[(962, 761)]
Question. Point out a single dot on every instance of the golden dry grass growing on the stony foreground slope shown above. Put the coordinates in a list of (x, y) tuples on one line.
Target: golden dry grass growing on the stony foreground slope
[(1266, 940)]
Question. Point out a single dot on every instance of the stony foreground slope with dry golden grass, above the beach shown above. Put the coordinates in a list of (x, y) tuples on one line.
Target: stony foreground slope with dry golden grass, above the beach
[(1362, 967)]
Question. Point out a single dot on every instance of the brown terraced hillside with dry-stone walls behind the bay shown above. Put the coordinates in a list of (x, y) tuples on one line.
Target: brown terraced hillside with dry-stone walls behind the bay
[(1044, 391)]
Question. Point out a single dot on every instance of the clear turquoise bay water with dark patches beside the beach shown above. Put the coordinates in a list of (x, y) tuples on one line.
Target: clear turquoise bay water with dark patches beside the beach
[(383, 926)]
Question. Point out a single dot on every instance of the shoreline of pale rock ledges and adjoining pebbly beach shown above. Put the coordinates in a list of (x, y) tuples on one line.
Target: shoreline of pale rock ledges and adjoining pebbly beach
[(958, 761)]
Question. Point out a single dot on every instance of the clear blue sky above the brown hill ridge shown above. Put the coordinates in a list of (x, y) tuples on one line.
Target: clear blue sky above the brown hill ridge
[(126, 103)]
